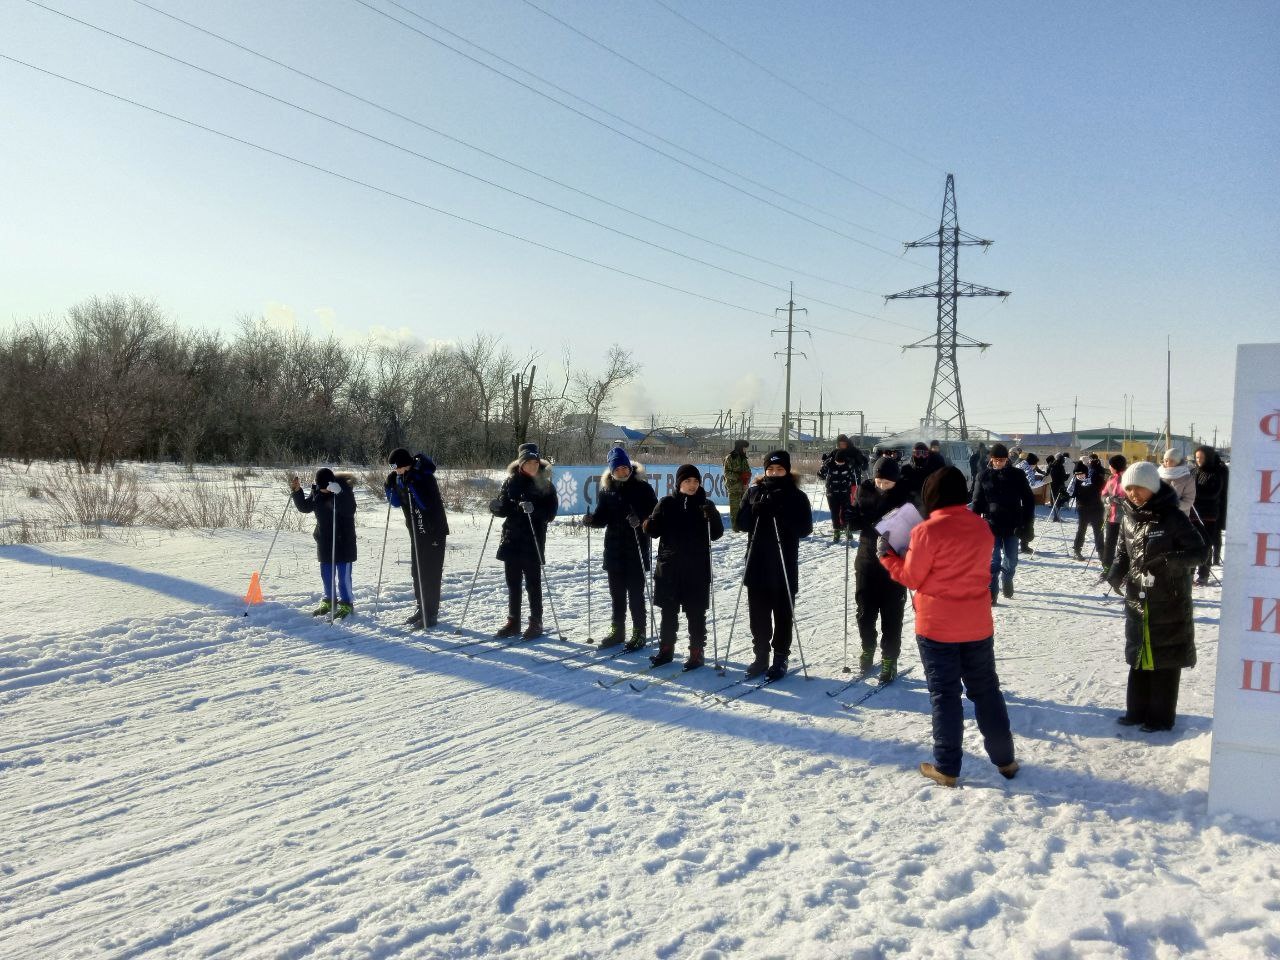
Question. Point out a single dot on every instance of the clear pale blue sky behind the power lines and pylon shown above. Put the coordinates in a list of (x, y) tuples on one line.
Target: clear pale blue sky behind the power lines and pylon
[(1121, 156)]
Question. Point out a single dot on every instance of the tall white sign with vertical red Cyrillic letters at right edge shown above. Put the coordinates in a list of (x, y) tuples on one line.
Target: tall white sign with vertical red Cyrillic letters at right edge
[(1245, 774)]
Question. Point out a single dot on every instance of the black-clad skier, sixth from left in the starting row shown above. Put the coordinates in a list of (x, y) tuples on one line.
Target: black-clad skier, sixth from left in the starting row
[(775, 515)]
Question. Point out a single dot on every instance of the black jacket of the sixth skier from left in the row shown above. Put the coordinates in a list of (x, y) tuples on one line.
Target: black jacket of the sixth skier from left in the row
[(775, 499)]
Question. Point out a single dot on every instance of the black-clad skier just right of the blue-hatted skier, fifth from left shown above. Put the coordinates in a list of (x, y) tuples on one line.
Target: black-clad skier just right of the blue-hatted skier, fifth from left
[(684, 524)]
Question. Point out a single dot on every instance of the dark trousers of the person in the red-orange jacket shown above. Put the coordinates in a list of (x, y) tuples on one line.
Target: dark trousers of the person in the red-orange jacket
[(973, 664)]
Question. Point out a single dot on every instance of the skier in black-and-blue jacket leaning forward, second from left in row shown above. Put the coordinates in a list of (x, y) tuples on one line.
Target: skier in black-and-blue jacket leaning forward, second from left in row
[(412, 486)]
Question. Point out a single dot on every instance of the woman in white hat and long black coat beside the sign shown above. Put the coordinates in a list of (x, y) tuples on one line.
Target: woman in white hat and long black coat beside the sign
[(1159, 550)]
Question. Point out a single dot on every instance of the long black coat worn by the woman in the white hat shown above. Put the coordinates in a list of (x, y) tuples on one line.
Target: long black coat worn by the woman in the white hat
[(1158, 540)]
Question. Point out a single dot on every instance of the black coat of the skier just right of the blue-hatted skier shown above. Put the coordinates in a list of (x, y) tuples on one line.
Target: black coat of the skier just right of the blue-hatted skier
[(682, 525)]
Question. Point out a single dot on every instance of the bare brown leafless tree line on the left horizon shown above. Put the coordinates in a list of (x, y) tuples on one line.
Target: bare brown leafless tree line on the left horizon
[(116, 380)]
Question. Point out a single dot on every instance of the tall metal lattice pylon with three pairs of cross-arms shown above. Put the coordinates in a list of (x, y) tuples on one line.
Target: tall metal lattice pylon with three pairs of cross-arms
[(947, 405)]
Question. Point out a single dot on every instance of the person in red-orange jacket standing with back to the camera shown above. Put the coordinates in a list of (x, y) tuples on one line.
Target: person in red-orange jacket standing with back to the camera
[(948, 566)]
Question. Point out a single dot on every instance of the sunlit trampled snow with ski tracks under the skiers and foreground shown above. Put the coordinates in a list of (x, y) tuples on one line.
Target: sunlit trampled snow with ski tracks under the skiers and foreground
[(180, 780)]
